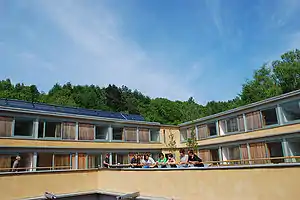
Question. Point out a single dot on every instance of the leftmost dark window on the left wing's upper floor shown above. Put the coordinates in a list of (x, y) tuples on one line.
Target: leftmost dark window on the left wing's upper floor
[(23, 127)]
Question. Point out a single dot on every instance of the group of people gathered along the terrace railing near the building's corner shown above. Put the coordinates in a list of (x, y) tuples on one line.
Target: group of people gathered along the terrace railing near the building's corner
[(164, 161)]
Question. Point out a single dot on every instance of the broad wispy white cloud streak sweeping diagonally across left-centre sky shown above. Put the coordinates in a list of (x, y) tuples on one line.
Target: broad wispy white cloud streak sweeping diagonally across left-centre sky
[(112, 58)]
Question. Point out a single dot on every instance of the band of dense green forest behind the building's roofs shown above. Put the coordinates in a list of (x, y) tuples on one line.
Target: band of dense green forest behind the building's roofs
[(278, 77)]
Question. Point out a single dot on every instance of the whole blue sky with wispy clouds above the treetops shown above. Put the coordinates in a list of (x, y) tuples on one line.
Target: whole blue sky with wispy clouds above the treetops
[(170, 48)]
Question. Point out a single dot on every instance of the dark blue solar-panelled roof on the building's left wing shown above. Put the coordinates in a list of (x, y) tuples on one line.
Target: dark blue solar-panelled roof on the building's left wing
[(68, 110)]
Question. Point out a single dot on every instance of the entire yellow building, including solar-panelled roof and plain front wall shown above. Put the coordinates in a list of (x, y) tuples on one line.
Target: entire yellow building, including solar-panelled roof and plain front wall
[(254, 152)]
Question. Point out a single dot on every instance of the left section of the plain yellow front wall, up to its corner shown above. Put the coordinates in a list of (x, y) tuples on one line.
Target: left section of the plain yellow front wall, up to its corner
[(33, 185)]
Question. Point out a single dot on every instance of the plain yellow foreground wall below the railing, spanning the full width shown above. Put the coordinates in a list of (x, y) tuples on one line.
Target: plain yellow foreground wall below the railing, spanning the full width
[(228, 184)]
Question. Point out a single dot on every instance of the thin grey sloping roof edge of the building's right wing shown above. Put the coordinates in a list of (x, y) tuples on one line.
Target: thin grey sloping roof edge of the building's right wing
[(249, 106)]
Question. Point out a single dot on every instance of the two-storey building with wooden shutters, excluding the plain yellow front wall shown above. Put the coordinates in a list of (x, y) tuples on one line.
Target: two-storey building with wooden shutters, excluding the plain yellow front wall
[(54, 137)]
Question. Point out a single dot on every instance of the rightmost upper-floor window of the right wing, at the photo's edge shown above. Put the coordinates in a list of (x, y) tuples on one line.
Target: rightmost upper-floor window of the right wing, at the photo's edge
[(291, 111)]
